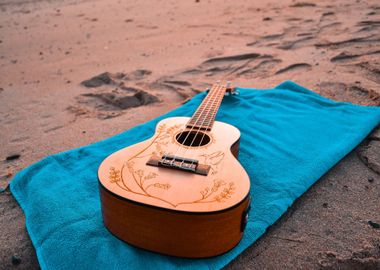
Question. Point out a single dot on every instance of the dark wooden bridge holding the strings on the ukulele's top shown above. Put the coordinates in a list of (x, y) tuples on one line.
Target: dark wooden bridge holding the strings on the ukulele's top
[(179, 163)]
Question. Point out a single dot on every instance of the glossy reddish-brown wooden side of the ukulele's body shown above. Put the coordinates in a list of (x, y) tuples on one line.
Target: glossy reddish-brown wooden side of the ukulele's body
[(182, 234)]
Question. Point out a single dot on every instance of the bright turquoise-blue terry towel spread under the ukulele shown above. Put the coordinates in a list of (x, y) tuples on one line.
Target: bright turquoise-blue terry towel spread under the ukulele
[(290, 138)]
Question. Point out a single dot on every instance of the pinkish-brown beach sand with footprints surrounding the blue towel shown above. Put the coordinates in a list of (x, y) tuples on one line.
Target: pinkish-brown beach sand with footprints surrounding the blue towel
[(154, 55)]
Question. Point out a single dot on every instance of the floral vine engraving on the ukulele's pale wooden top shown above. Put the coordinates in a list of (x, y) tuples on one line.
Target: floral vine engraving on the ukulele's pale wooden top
[(142, 182)]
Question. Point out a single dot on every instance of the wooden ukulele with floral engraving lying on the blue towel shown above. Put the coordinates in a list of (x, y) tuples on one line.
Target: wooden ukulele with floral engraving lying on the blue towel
[(182, 192)]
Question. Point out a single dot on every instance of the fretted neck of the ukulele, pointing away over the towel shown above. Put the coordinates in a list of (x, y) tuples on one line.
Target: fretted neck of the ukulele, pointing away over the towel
[(204, 116)]
